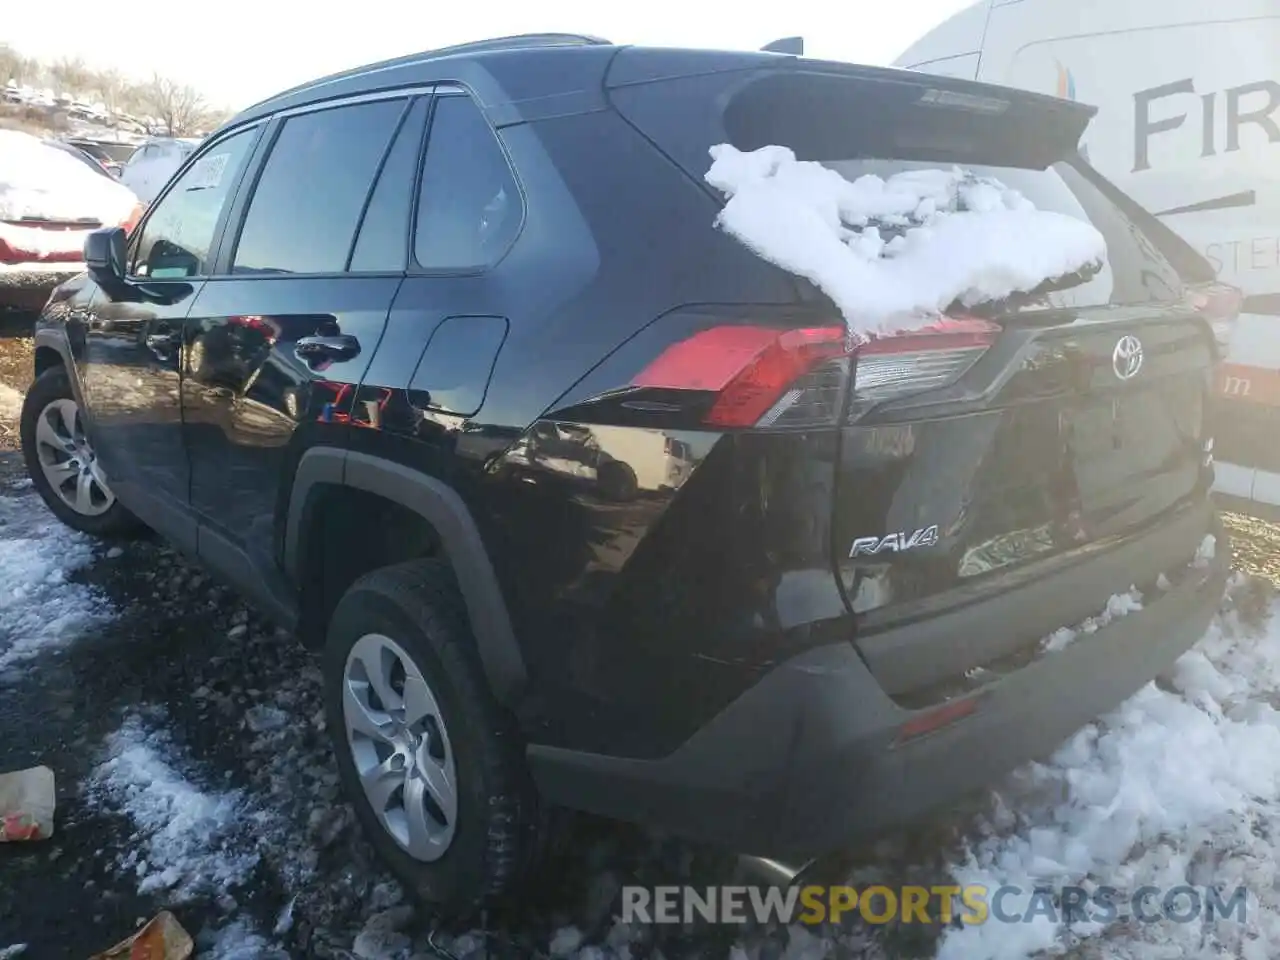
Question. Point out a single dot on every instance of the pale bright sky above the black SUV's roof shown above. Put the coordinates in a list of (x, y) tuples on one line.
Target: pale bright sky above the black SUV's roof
[(239, 52)]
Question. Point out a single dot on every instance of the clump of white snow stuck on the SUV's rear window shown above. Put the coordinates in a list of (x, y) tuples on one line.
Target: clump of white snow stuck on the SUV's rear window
[(958, 237)]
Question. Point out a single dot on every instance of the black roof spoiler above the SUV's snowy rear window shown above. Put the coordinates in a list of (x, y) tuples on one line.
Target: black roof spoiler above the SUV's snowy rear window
[(826, 111)]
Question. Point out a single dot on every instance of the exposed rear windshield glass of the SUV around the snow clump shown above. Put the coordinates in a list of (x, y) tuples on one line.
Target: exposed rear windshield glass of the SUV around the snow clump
[(1136, 272)]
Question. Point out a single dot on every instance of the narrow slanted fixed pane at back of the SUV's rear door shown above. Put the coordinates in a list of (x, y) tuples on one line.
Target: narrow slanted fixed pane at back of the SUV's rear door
[(385, 232)]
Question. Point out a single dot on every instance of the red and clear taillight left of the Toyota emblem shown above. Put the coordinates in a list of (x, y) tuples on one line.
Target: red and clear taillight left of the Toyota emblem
[(770, 377)]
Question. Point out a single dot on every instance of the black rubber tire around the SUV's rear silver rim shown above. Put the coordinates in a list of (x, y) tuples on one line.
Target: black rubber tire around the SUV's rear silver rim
[(499, 826)]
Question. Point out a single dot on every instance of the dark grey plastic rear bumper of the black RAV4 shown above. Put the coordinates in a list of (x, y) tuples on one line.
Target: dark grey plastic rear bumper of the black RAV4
[(804, 762)]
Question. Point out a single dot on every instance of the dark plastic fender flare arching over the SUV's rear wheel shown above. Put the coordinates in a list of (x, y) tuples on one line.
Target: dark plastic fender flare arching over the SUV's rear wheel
[(442, 508)]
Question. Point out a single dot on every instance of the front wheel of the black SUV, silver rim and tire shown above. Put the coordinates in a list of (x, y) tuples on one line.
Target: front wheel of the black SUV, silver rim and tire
[(62, 463)]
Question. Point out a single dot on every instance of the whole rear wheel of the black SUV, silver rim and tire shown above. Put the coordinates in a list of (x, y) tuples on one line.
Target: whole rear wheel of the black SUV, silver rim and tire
[(428, 758)]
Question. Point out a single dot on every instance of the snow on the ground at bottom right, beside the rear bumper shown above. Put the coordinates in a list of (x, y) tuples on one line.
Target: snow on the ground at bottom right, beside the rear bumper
[(1178, 787)]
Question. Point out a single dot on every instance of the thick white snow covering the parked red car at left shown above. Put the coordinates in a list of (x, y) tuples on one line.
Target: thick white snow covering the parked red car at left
[(40, 181)]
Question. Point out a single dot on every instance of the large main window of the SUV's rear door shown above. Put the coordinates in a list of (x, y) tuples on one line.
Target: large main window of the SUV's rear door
[(304, 213)]
